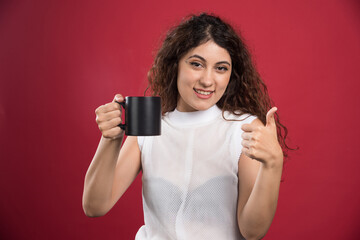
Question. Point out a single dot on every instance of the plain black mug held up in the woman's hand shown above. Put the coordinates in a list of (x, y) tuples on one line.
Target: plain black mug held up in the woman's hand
[(142, 116)]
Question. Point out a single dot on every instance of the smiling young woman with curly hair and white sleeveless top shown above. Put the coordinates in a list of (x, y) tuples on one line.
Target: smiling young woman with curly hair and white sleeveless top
[(215, 171)]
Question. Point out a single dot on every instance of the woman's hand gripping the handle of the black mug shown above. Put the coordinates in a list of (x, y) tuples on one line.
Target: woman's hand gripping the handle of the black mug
[(108, 117)]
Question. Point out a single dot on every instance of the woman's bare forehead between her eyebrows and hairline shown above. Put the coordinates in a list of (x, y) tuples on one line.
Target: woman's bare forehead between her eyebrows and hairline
[(210, 51)]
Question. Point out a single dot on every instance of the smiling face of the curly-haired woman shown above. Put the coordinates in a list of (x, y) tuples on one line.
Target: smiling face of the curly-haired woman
[(203, 75)]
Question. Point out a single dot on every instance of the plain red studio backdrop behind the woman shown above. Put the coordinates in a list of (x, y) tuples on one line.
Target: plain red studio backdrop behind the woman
[(60, 60)]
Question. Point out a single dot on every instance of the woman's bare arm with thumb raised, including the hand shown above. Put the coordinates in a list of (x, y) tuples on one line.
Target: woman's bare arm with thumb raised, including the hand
[(260, 169)]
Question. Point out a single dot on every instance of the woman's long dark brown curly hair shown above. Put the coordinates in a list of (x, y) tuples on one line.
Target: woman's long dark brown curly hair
[(245, 93)]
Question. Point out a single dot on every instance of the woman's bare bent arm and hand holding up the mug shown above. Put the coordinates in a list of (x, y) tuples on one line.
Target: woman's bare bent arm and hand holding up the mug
[(111, 171)]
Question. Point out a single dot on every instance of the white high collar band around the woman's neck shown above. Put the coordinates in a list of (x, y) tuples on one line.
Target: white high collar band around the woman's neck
[(192, 118)]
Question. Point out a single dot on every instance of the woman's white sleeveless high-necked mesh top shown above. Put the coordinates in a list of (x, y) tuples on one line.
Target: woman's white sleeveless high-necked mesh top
[(190, 176)]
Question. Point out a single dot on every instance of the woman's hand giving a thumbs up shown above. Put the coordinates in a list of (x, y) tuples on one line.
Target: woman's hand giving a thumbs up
[(260, 142)]
